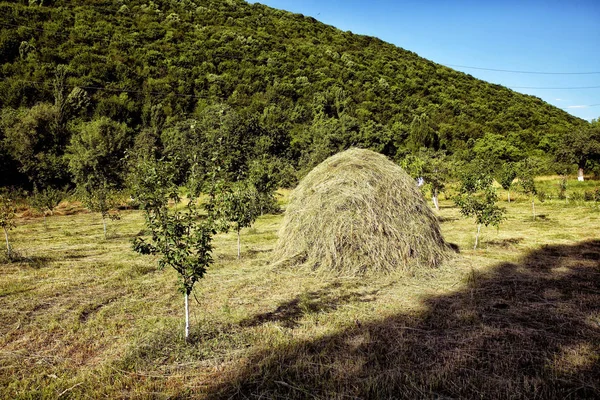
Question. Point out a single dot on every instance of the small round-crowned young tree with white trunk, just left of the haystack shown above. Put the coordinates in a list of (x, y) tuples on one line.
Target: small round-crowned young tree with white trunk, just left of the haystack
[(238, 206)]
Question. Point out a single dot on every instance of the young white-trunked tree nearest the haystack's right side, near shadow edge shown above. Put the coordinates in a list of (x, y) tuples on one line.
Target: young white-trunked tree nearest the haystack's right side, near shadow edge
[(477, 198)]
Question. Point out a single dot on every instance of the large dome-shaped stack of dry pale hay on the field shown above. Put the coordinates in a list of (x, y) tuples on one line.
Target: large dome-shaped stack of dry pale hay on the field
[(358, 212)]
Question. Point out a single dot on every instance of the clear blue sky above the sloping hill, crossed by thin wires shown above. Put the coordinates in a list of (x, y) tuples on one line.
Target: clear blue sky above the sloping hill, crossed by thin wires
[(527, 35)]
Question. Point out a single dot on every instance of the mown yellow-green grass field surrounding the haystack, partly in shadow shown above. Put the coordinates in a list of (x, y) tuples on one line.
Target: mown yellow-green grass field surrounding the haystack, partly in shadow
[(85, 317)]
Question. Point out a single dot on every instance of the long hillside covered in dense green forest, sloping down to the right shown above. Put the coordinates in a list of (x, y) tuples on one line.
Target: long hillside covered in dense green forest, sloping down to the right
[(200, 76)]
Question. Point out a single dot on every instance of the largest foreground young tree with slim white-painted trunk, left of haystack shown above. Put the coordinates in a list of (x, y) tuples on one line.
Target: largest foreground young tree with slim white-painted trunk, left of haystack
[(182, 238)]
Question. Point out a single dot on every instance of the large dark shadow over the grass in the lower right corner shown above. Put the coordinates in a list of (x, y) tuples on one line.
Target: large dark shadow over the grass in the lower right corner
[(526, 330)]
